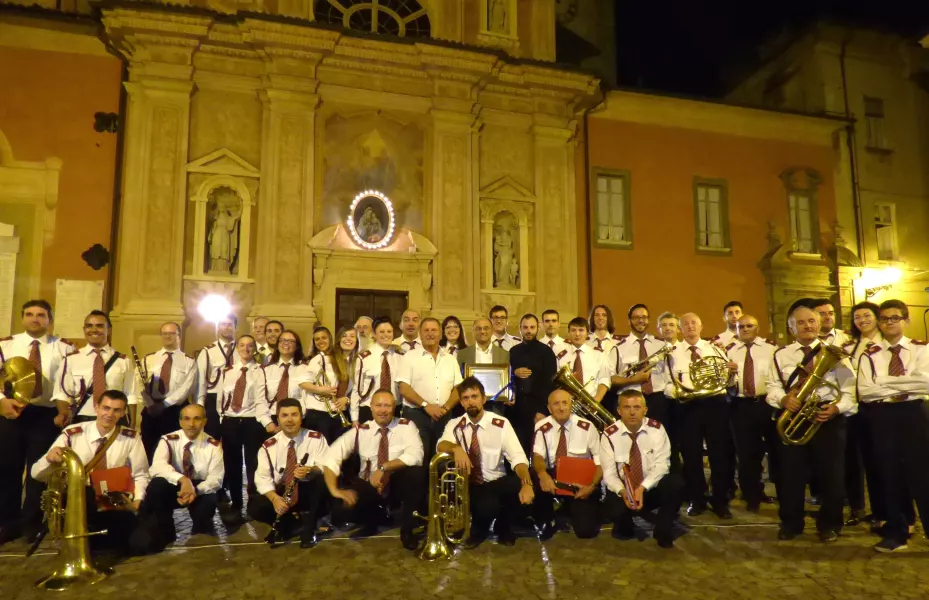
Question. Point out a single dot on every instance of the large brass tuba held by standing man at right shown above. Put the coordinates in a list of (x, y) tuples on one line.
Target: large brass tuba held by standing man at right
[(798, 428)]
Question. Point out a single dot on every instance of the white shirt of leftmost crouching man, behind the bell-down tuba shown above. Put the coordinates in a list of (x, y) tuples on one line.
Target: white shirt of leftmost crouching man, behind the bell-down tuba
[(126, 450)]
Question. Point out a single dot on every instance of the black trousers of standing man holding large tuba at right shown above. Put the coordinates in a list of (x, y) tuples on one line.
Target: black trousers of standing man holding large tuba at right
[(822, 459)]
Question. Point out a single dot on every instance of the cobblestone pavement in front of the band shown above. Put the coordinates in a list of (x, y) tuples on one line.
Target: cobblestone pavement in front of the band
[(738, 559)]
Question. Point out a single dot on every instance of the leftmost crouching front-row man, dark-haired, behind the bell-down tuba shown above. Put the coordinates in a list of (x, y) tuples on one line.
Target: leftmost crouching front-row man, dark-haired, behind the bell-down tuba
[(103, 446)]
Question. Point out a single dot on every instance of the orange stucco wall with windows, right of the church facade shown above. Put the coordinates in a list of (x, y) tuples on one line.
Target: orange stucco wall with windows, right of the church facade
[(663, 269)]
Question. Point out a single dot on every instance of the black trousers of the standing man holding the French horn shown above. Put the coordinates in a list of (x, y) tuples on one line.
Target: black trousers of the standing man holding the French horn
[(706, 419)]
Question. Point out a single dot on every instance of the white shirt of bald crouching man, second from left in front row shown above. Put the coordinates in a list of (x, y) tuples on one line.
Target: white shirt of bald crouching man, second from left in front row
[(206, 458)]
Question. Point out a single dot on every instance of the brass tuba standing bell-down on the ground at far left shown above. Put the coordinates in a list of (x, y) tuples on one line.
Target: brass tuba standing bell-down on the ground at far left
[(68, 524)]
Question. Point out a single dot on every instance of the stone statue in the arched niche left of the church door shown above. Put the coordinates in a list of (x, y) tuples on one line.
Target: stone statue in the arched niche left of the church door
[(224, 218)]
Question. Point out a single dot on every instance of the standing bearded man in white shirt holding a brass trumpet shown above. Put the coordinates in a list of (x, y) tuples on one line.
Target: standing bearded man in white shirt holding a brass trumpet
[(637, 347)]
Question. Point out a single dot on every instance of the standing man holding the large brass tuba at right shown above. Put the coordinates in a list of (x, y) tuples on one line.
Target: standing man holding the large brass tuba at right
[(824, 456)]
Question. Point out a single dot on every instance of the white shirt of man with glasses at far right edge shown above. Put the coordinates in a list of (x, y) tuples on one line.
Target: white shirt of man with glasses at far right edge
[(876, 384)]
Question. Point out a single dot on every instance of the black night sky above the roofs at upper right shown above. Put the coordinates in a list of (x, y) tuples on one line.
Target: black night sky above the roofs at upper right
[(688, 46)]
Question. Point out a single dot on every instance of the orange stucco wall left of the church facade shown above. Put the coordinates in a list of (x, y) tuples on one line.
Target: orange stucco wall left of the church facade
[(47, 110)]
